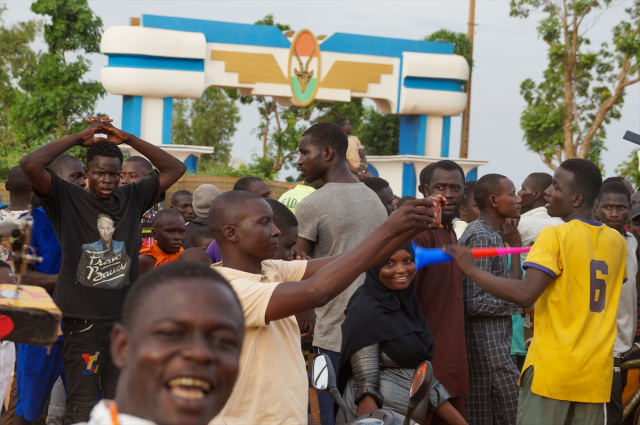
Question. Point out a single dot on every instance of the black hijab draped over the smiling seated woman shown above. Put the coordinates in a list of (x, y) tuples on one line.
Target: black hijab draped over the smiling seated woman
[(377, 314)]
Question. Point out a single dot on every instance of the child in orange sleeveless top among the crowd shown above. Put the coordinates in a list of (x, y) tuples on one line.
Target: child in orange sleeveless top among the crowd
[(168, 232)]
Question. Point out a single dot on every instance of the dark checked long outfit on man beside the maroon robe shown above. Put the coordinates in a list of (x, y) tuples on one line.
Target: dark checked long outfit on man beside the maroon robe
[(493, 378)]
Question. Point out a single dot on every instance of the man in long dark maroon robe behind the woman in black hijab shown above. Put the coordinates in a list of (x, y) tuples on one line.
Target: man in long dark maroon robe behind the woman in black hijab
[(439, 287)]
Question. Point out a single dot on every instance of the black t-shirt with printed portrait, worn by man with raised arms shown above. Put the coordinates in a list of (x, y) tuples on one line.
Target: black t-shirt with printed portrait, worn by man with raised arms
[(100, 243)]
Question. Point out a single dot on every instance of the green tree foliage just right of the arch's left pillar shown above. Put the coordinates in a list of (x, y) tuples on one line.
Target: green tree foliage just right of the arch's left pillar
[(209, 121)]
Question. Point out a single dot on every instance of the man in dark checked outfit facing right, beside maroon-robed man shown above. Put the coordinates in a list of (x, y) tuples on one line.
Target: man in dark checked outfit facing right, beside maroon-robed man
[(493, 379)]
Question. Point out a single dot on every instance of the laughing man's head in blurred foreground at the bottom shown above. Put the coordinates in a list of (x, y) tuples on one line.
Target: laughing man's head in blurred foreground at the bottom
[(178, 348)]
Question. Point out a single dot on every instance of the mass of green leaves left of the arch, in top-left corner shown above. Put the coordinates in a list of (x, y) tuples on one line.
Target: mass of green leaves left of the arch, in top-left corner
[(45, 96)]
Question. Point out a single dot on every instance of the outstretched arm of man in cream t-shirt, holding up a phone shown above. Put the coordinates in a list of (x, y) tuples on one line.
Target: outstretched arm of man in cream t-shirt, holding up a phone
[(290, 298)]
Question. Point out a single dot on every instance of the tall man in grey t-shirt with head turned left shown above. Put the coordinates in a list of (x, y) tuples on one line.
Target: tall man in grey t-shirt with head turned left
[(332, 220)]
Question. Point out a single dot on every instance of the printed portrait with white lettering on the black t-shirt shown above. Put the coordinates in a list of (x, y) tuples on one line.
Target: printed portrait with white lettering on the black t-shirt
[(104, 263)]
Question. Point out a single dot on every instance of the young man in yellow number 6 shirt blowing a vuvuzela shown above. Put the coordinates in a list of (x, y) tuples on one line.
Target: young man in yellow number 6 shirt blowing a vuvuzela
[(571, 355)]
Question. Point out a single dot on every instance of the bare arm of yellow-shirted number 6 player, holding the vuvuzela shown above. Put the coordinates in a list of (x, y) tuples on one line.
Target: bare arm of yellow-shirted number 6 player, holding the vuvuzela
[(522, 292)]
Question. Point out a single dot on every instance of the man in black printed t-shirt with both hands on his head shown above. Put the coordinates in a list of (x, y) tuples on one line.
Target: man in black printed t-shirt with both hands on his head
[(98, 230)]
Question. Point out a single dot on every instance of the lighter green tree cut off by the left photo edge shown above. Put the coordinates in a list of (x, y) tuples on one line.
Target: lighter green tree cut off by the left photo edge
[(15, 57)]
